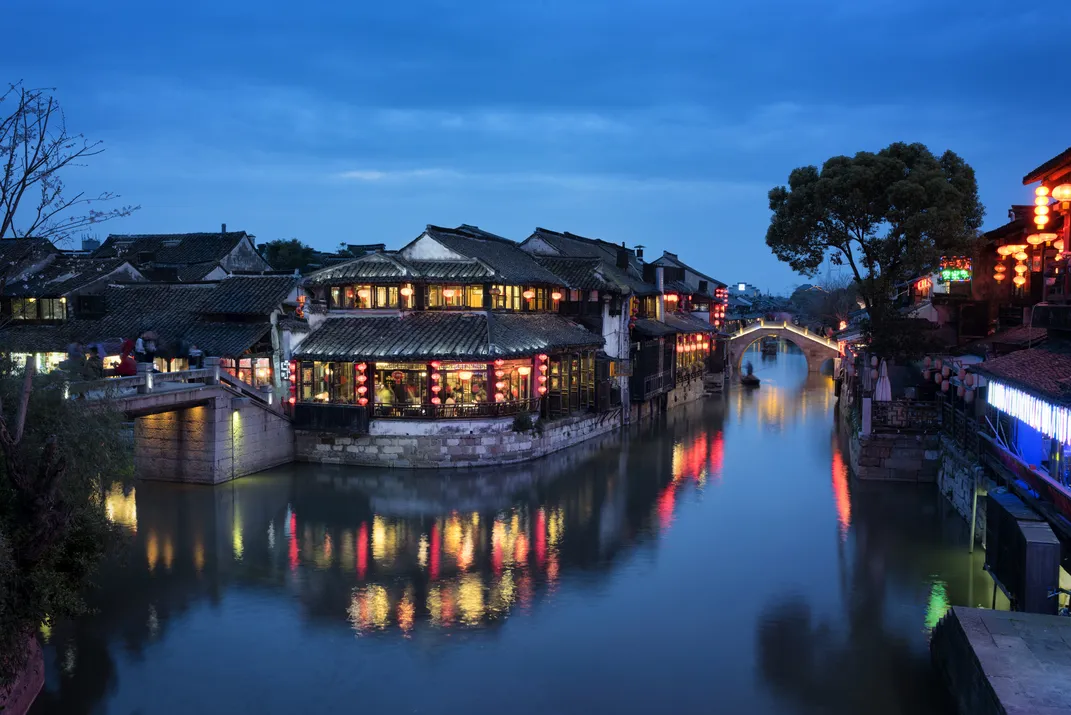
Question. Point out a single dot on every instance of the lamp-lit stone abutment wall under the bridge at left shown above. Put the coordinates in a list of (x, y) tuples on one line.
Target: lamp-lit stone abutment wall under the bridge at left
[(212, 444)]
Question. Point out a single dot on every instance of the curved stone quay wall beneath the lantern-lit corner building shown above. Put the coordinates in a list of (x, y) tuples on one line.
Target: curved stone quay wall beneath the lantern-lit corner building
[(464, 444)]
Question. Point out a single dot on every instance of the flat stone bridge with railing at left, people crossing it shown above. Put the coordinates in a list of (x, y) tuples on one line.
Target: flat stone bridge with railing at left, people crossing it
[(200, 425)]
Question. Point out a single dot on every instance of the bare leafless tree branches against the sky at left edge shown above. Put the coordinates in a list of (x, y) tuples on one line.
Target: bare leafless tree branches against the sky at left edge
[(36, 148)]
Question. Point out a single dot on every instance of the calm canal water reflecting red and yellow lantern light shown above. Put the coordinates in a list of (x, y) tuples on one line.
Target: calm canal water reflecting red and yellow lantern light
[(721, 560)]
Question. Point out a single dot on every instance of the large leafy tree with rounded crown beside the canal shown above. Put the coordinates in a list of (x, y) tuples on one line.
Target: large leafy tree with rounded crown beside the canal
[(888, 217)]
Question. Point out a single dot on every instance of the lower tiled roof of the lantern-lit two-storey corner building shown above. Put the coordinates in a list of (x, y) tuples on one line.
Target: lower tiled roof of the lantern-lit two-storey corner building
[(443, 336)]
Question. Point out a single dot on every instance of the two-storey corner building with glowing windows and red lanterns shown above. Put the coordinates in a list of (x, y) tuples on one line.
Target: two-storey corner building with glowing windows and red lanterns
[(460, 324)]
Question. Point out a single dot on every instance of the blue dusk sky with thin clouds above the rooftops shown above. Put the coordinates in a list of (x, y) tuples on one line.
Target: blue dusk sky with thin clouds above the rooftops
[(661, 124)]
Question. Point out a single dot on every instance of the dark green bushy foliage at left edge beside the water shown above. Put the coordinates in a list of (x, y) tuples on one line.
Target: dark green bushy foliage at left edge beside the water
[(53, 526)]
